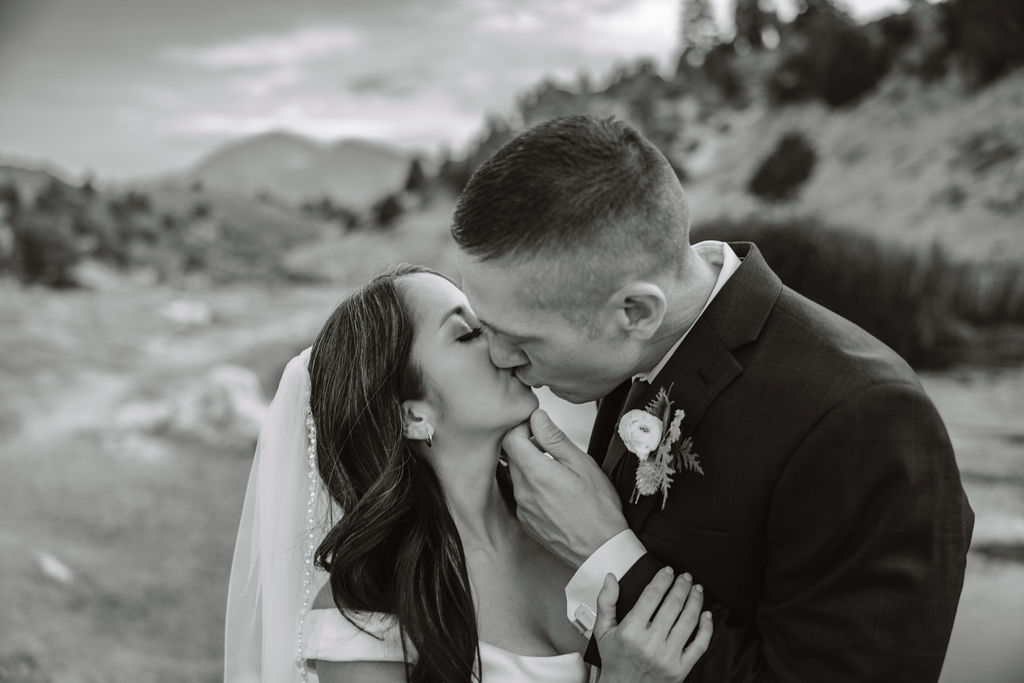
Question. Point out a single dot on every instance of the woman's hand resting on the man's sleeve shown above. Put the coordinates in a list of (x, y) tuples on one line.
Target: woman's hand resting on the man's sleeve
[(650, 647)]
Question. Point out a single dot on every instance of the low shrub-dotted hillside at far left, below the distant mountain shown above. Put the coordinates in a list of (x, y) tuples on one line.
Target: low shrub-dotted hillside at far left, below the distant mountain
[(60, 235)]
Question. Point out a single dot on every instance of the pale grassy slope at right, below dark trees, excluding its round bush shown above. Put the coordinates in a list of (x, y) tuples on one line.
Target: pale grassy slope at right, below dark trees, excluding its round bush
[(911, 164)]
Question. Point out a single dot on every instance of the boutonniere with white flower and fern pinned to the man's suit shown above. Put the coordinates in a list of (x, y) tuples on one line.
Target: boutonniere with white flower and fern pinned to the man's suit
[(654, 435)]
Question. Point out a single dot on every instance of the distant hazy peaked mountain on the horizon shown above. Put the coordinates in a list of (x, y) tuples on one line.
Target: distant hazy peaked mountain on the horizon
[(293, 168)]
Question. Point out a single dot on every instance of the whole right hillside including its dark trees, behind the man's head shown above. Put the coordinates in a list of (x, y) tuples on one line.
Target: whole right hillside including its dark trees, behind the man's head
[(911, 125)]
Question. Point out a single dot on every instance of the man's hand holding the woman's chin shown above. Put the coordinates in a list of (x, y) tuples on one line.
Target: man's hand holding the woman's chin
[(566, 501)]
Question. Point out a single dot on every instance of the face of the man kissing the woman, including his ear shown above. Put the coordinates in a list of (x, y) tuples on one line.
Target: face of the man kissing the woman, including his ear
[(578, 362)]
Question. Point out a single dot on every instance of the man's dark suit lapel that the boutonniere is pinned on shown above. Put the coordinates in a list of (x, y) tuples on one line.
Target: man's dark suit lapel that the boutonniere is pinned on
[(704, 365)]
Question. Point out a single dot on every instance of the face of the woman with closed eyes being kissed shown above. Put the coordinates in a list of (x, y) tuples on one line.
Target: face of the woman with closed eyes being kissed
[(452, 353)]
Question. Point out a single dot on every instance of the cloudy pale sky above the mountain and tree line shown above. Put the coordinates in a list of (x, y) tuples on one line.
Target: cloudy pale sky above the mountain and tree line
[(135, 89)]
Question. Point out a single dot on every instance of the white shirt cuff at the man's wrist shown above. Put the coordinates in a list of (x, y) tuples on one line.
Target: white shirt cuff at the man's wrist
[(617, 557)]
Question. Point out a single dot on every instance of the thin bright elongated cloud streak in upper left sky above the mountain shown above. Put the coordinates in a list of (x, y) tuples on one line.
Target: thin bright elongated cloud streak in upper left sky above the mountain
[(284, 50)]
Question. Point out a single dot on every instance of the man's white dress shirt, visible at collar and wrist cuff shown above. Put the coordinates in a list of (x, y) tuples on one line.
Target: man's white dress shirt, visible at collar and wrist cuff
[(622, 551)]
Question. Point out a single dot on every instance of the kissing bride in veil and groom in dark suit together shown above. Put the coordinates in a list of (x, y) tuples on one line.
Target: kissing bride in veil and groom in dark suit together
[(769, 494)]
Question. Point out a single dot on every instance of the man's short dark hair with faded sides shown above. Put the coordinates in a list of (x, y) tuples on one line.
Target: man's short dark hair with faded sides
[(580, 187)]
